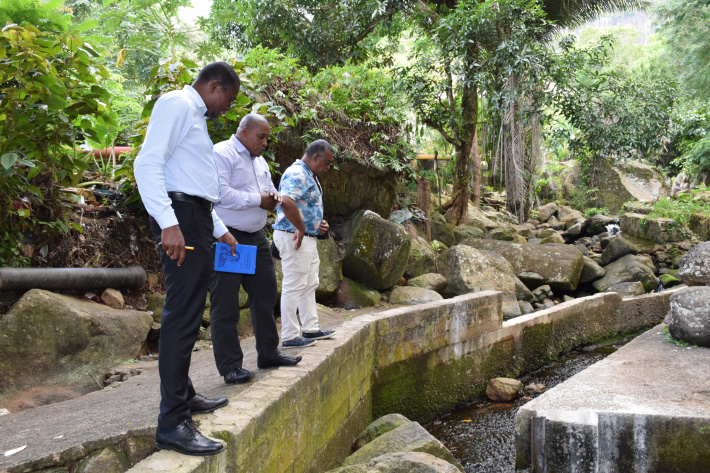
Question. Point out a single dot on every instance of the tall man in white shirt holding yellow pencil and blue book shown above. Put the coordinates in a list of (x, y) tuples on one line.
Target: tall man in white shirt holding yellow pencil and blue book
[(178, 182)]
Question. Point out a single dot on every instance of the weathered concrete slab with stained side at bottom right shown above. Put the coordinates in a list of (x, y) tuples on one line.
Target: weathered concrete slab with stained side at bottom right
[(645, 408)]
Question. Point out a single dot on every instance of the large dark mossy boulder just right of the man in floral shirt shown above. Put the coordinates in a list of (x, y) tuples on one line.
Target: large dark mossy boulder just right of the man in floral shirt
[(378, 251)]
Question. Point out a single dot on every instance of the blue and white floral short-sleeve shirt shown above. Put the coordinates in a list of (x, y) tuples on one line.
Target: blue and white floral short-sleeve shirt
[(302, 186)]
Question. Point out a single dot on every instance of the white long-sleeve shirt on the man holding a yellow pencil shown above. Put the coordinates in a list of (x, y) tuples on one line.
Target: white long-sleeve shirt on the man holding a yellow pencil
[(177, 157)]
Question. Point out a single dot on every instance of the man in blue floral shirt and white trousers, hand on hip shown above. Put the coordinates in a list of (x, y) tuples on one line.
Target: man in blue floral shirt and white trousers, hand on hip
[(299, 221)]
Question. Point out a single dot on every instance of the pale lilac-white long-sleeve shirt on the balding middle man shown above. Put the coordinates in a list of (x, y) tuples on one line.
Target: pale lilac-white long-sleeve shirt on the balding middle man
[(242, 178)]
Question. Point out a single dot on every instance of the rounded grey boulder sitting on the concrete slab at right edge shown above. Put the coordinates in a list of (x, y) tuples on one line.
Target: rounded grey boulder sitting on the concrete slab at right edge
[(689, 318)]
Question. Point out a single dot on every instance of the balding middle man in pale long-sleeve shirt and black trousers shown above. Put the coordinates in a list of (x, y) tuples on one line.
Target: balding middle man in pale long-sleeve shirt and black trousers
[(246, 195)]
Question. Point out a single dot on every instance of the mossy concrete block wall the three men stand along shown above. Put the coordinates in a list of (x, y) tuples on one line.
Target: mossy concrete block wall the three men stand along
[(420, 361)]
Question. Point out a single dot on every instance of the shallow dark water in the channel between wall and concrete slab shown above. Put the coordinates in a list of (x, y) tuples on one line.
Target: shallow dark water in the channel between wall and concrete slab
[(481, 435)]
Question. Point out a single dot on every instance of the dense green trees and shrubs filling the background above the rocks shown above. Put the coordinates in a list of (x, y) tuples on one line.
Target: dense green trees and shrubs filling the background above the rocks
[(511, 86)]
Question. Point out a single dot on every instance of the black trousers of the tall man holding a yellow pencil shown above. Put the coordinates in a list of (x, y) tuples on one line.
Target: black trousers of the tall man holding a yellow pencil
[(186, 289)]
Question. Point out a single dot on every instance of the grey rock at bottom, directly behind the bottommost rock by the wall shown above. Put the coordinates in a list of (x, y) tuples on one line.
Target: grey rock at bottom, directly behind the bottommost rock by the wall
[(410, 437)]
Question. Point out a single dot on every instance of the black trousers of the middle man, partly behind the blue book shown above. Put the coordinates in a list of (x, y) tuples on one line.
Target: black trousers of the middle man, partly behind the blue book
[(224, 306)]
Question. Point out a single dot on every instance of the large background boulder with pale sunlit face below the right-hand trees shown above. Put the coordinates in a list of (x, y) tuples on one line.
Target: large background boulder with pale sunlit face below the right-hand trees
[(619, 183)]
